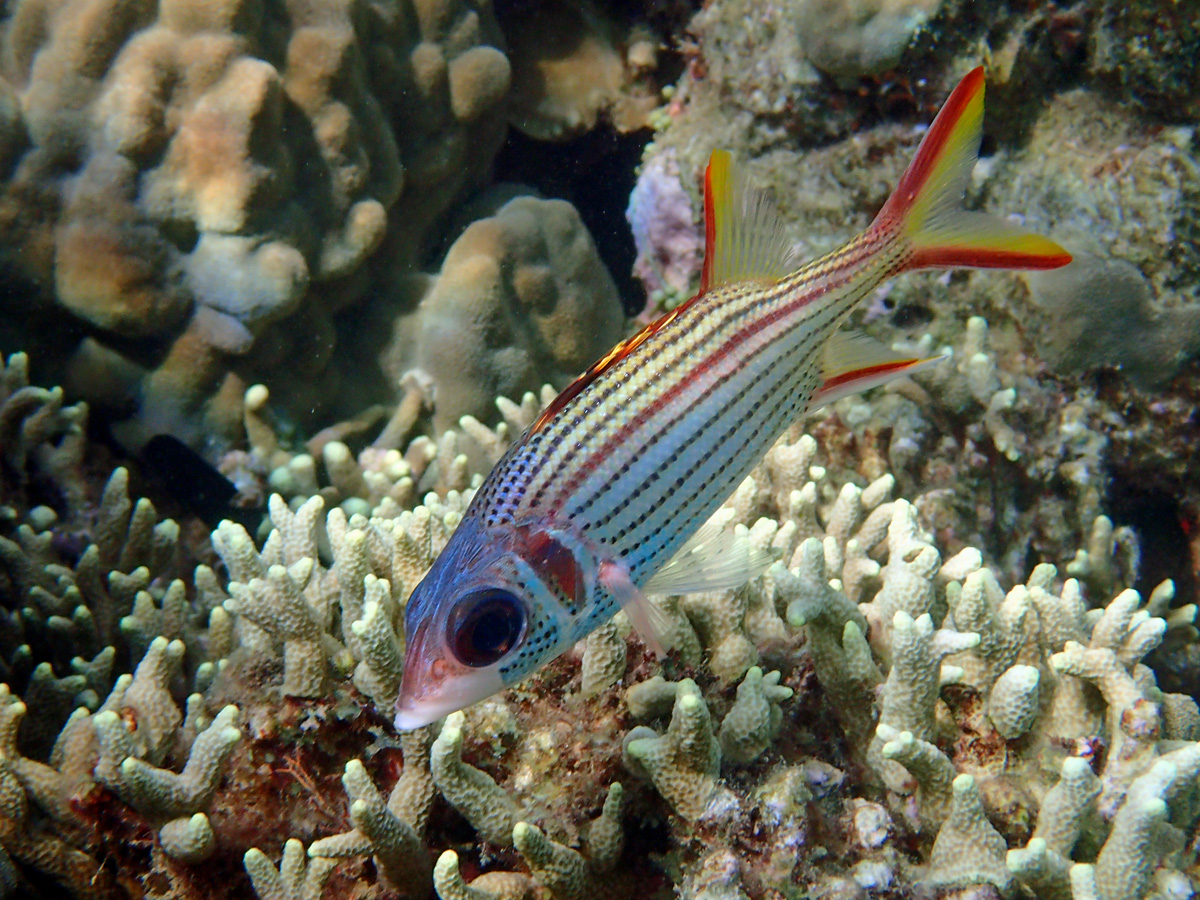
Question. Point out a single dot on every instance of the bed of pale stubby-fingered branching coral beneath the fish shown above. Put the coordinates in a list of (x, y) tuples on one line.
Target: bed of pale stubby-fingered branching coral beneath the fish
[(939, 682)]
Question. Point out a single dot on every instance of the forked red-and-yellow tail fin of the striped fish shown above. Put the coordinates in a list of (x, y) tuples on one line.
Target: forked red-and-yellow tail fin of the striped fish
[(926, 211)]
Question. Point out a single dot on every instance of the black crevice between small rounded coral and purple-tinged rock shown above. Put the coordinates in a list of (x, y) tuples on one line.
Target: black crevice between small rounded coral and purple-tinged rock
[(597, 173)]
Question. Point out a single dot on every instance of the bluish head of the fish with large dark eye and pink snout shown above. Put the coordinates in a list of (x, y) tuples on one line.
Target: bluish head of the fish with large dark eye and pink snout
[(479, 622)]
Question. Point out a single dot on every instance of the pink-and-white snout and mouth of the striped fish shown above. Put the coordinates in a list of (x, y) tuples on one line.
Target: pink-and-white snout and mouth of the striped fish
[(435, 686)]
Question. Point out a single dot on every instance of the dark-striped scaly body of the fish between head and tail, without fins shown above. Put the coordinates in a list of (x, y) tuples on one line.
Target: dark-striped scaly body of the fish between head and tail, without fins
[(620, 459)]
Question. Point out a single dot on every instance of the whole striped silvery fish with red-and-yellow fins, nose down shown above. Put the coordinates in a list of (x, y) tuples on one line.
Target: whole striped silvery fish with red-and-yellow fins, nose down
[(609, 496)]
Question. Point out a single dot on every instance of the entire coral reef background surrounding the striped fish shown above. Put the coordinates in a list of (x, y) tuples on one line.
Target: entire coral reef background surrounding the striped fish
[(283, 280)]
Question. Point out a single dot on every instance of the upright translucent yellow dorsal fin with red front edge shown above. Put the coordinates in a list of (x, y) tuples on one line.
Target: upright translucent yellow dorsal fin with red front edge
[(745, 238)]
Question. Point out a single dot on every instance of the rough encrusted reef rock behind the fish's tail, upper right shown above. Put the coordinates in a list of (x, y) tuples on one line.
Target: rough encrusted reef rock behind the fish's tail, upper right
[(1076, 146)]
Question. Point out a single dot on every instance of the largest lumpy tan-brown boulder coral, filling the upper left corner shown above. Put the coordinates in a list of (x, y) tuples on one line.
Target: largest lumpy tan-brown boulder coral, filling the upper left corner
[(185, 176)]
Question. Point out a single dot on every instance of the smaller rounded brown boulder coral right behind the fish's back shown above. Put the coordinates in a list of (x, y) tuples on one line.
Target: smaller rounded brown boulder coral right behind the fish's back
[(523, 299)]
